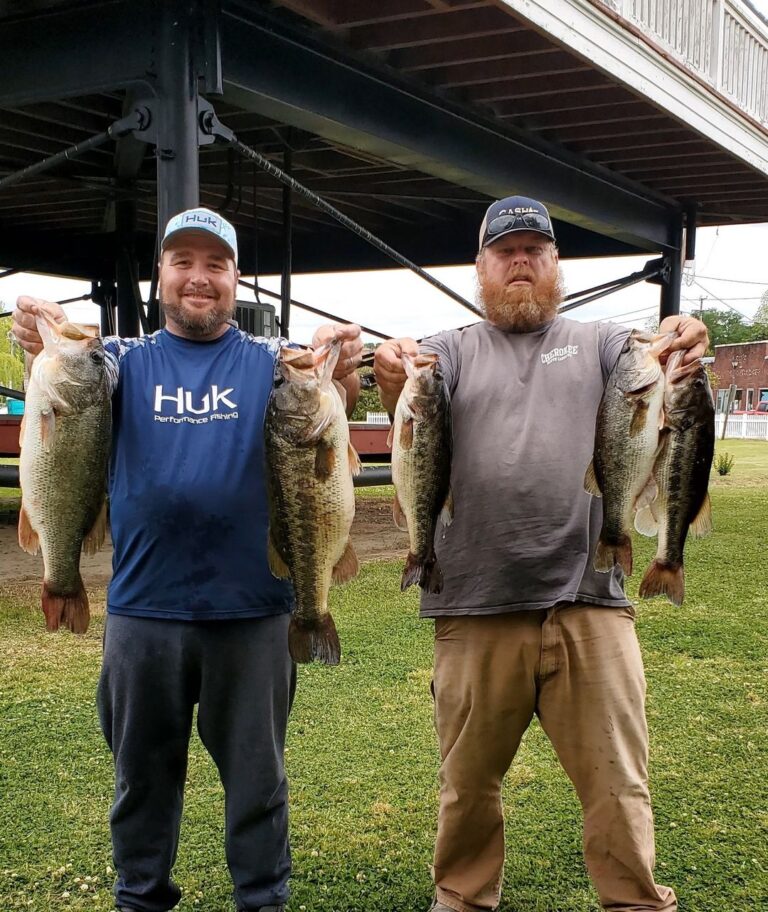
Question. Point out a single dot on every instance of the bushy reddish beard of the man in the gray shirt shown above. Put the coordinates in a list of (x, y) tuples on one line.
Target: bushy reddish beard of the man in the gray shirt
[(521, 308)]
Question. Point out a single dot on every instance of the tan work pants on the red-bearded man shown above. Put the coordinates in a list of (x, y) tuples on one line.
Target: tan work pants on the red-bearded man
[(579, 668)]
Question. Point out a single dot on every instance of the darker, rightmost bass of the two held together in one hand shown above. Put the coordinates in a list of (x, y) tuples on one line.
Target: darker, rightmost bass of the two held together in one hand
[(681, 472)]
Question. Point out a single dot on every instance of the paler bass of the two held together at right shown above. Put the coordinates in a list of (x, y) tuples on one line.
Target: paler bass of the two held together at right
[(629, 420)]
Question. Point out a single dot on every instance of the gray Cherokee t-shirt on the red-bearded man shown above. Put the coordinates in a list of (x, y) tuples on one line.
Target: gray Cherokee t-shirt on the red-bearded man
[(524, 408)]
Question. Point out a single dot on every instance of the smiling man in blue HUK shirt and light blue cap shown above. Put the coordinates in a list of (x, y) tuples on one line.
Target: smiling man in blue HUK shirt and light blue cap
[(194, 615)]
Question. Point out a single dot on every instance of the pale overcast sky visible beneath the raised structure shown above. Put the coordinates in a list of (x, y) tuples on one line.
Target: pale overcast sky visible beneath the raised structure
[(731, 270)]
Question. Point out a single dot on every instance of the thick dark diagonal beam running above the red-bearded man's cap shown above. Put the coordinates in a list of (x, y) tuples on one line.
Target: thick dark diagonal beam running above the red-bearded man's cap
[(304, 83)]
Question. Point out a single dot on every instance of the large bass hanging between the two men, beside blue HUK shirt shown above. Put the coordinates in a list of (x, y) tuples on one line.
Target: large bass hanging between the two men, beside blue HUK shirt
[(310, 463)]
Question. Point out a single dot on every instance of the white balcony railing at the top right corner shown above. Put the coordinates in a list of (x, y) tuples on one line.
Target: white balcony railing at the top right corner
[(723, 41)]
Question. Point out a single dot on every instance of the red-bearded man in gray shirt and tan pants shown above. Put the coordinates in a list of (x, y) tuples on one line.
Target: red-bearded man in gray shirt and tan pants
[(524, 624)]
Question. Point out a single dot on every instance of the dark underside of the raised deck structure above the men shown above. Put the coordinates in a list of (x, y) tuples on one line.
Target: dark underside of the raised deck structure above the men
[(626, 117)]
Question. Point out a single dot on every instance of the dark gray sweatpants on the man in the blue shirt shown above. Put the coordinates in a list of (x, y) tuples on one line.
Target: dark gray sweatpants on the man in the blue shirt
[(242, 677)]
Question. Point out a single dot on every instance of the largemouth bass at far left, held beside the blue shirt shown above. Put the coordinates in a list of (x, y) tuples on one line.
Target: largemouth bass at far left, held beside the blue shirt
[(65, 442)]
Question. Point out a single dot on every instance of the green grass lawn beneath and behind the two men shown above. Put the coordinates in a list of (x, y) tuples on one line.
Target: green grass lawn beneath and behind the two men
[(362, 754)]
